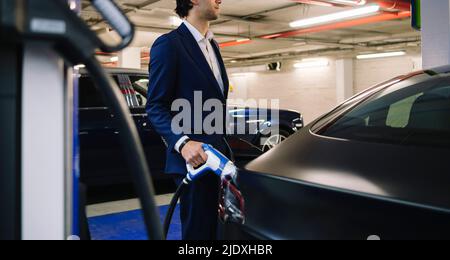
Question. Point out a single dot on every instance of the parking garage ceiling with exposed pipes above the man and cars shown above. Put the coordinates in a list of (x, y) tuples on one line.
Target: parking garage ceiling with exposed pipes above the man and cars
[(259, 21)]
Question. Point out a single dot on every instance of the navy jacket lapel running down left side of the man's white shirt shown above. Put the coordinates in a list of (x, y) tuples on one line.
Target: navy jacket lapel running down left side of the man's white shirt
[(196, 54)]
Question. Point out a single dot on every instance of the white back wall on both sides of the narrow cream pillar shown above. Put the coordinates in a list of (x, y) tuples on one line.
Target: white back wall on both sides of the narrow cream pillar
[(313, 91)]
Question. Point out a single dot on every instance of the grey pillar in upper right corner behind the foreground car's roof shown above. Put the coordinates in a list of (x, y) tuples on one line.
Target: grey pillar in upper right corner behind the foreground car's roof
[(435, 33)]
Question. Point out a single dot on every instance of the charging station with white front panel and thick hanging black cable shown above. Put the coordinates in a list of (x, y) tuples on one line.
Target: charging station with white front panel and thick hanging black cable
[(40, 43)]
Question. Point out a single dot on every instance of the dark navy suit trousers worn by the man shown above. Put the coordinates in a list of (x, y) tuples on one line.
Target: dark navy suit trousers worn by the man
[(199, 208)]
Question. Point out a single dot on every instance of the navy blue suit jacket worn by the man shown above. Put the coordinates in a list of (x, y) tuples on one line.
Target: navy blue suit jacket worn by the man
[(177, 69)]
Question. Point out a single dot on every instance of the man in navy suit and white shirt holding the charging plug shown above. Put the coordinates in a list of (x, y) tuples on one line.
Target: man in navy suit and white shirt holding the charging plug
[(184, 63)]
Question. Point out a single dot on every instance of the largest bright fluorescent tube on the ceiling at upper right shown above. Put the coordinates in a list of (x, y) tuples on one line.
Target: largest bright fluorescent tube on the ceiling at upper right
[(356, 12)]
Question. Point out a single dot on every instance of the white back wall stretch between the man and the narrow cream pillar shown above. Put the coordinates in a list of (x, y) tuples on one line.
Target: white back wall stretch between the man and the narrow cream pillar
[(309, 91)]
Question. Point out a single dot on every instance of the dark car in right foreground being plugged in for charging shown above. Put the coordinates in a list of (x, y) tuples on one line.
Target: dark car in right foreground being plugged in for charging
[(374, 167)]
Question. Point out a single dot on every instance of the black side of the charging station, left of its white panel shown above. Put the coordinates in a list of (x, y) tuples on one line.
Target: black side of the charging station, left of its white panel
[(10, 179)]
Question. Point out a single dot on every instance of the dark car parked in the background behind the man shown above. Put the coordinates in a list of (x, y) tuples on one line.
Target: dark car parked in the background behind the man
[(101, 155)]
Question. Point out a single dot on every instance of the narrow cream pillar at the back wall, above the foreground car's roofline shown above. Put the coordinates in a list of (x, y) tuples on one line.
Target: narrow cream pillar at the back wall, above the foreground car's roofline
[(344, 79)]
